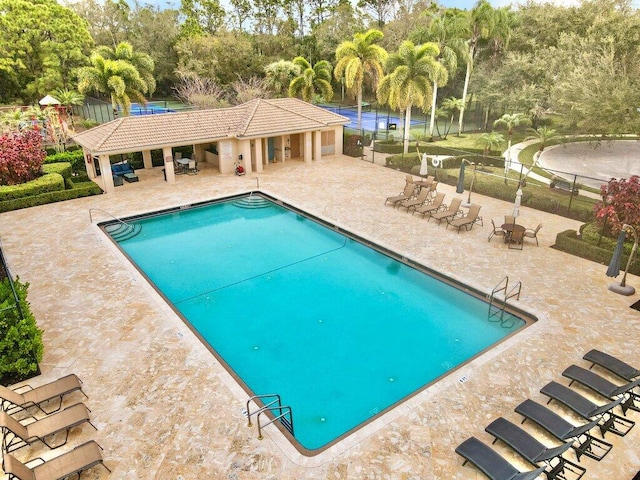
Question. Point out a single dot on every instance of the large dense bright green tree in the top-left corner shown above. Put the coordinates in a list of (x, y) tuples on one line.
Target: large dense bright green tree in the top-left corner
[(41, 44)]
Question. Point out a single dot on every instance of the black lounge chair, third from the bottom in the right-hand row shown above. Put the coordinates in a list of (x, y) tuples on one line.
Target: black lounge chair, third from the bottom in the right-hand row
[(560, 428)]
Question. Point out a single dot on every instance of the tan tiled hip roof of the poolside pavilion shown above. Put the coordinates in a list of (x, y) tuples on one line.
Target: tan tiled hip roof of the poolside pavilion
[(256, 118)]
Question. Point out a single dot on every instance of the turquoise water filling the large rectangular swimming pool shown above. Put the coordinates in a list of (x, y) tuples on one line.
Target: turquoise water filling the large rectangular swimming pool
[(341, 331)]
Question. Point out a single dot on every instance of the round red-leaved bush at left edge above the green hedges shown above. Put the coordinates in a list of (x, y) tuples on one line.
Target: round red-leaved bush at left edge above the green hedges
[(21, 157)]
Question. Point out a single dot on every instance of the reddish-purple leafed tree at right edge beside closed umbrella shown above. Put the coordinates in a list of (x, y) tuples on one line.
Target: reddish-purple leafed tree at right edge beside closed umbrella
[(620, 205)]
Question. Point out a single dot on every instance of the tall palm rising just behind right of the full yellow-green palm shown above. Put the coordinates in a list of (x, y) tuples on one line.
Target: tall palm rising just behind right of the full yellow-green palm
[(446, 31)]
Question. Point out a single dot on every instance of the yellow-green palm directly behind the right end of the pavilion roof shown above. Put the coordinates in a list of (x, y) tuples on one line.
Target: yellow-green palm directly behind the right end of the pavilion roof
[(358, 58)]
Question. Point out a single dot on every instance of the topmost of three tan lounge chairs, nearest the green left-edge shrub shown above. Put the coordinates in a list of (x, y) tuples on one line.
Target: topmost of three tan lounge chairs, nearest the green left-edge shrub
[(13, 400)]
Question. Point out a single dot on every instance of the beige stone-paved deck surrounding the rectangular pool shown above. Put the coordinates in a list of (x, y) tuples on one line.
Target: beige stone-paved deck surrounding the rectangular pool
[(166, 409)]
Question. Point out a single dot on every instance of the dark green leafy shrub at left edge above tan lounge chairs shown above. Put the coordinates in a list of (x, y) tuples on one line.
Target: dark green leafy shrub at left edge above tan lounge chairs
[(21, 345)]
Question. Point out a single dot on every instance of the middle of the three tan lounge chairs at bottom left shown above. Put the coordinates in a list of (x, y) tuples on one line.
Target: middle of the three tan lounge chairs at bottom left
[(18, 435)]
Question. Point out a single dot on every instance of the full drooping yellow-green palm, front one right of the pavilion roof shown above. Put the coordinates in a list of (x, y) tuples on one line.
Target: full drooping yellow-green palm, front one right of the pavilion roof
[(408, 82)]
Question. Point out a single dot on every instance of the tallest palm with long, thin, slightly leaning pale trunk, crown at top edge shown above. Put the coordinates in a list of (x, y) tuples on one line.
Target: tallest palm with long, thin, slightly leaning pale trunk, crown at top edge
[(484, 22)]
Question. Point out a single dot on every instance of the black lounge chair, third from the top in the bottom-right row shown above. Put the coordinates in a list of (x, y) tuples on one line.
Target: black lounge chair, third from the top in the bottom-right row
[(609, 421)]
